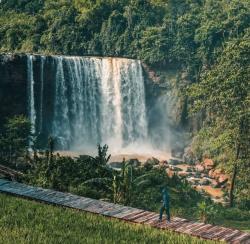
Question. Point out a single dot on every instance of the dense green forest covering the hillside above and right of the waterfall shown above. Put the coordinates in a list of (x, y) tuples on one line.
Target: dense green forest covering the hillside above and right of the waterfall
[(207, 41)]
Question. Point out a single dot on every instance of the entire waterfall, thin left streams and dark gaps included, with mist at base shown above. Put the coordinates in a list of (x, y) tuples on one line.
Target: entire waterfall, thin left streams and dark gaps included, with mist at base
[(85, 101)]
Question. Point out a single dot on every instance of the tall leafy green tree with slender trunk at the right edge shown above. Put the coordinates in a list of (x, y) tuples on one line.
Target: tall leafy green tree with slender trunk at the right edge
[(224, 94)]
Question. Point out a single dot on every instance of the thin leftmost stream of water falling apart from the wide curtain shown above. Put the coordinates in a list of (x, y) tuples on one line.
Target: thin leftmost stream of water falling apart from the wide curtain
[(31, 98)]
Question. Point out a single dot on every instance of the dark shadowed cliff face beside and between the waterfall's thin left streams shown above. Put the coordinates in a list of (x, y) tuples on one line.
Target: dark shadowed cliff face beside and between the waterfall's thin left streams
[(14, 86)]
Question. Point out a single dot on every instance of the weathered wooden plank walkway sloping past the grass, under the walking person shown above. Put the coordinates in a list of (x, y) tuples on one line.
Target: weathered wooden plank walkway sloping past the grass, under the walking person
[(205, 231)]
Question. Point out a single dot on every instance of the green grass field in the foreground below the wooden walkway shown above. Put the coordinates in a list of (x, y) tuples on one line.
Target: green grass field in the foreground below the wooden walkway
[(24, 221)]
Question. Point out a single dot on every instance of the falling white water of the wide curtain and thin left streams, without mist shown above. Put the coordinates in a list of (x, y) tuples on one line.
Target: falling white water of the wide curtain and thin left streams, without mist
[(96, 100)]
